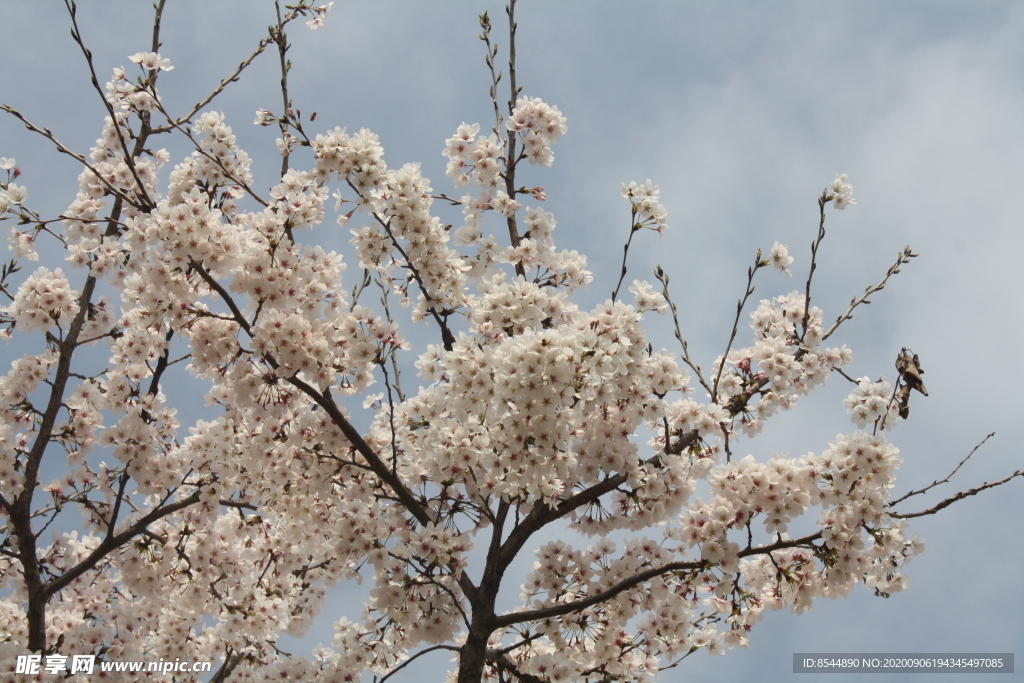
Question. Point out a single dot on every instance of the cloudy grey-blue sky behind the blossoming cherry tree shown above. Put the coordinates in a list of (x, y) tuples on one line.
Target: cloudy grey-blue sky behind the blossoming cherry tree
[(742, 113)]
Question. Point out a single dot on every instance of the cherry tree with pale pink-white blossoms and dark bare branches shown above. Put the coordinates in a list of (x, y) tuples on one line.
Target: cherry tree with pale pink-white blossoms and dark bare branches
[(536, 419)]
